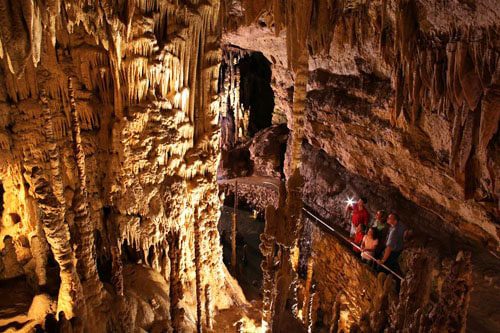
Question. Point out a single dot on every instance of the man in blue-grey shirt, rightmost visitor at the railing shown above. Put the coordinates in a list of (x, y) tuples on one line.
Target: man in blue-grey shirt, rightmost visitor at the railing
[(394, 243)]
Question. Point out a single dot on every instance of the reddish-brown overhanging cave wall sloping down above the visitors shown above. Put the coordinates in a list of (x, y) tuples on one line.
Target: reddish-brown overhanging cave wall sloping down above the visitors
[(399, 89)]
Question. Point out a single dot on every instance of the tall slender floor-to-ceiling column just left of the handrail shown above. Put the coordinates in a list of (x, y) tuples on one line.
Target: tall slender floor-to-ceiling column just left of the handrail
[(299, 14)]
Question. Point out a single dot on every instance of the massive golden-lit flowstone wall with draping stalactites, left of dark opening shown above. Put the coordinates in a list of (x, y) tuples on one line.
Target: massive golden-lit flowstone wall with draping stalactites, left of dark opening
[(109, 145)]
